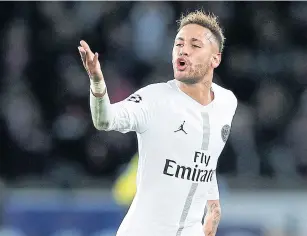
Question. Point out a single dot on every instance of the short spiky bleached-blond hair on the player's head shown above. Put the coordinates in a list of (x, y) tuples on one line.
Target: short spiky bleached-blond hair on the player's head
[(209, 21)]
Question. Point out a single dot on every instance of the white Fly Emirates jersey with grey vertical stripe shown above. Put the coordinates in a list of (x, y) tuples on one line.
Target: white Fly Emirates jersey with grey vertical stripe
[(180, 142)]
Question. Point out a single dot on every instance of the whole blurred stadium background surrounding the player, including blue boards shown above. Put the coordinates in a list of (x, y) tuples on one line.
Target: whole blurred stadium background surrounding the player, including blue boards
[(59, 176)]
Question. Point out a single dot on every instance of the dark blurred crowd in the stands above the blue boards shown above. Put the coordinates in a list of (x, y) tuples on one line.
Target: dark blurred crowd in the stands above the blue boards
[(46, 130)]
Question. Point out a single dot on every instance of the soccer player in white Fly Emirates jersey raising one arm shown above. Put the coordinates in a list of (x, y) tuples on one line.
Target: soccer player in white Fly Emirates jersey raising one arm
[(182, 126)]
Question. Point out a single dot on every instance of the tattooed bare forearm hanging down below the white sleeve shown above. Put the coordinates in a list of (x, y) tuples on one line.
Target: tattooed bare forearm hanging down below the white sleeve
[(212, 219)]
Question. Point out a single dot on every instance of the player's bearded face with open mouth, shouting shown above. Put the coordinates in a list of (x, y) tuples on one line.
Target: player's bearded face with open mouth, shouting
[(195, 52)]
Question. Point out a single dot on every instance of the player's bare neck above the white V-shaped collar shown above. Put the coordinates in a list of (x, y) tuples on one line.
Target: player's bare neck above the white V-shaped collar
[(200, 92)]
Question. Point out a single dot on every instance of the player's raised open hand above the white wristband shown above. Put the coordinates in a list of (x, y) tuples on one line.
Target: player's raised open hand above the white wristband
[(90, 62)]
